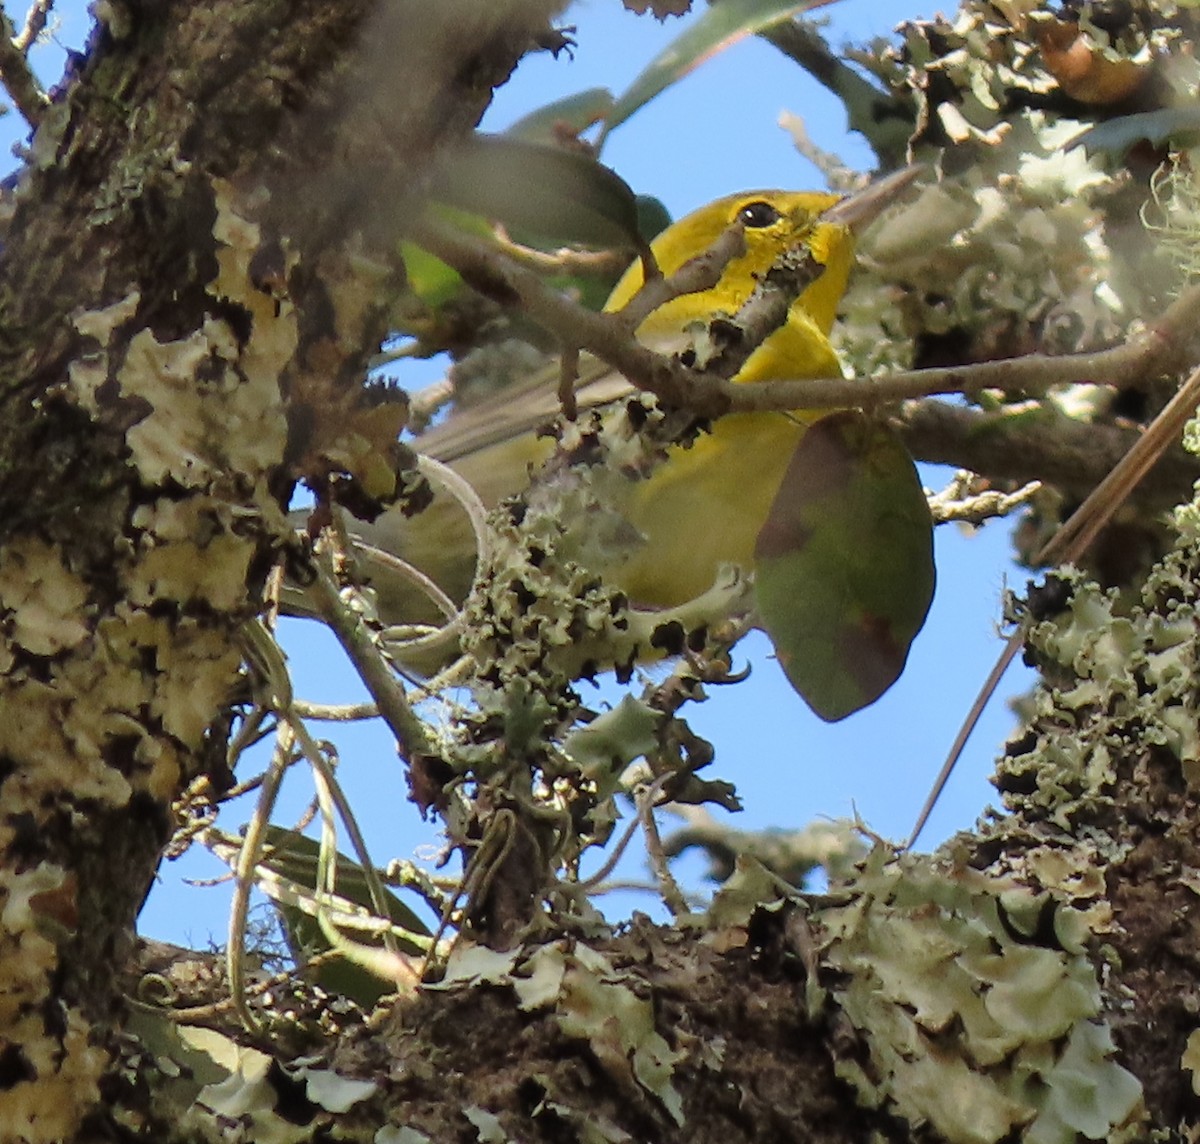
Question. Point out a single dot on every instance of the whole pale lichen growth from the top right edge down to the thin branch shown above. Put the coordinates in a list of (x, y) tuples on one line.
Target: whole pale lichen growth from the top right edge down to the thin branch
[(1025, 232)]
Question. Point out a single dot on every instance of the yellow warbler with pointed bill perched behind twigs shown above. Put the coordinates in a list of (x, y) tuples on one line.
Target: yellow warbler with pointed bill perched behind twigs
[(705, 505)]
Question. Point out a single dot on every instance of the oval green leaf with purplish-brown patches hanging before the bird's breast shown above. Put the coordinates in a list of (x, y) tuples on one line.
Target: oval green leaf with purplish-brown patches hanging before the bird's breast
[(844, 572)]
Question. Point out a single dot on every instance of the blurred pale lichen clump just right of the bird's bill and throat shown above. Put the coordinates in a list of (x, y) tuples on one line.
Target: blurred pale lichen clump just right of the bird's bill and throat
[(1013, 238)]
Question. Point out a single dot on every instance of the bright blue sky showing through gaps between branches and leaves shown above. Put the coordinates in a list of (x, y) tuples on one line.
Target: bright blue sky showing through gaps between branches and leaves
[(713, 134)]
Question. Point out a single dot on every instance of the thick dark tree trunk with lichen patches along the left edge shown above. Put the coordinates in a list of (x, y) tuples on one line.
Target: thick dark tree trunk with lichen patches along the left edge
[(146, 367)]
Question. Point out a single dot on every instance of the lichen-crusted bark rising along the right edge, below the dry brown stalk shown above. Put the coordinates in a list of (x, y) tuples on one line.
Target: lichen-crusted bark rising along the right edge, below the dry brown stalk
[(1106, 816)]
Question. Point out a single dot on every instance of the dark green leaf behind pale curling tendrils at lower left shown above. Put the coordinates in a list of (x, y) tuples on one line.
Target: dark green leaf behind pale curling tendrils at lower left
[(292, 858)]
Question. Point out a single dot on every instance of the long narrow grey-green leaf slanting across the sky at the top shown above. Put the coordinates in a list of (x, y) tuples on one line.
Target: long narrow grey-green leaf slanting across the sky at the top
[(721, 27)]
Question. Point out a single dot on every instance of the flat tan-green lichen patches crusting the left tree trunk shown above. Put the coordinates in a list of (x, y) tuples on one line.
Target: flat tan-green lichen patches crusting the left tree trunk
[(110, 700)]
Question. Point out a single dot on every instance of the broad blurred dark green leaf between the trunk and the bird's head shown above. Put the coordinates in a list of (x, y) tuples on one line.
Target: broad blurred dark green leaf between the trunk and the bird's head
[(551, 196)]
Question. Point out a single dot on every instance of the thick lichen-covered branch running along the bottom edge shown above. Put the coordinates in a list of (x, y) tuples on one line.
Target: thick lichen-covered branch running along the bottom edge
[(921, 997)]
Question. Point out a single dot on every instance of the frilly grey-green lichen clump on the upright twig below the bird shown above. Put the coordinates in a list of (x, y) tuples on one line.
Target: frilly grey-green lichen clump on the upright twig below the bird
[(541, 618)]
